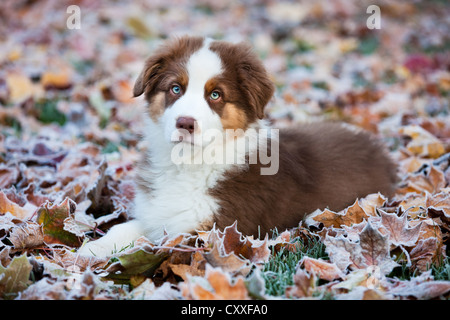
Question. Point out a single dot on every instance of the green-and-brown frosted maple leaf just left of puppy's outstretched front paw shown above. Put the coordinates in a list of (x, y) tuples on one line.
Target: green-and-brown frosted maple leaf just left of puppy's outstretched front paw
[(52, 217)]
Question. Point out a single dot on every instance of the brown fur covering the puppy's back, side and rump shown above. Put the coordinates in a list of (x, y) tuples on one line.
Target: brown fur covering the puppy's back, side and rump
[(322, 165)]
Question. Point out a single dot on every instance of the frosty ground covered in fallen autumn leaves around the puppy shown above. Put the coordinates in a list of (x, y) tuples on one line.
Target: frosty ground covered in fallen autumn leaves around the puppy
[(70, 137)]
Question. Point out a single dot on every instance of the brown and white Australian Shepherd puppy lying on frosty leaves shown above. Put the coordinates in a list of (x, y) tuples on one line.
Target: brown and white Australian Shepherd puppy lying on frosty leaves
[(212, 159)]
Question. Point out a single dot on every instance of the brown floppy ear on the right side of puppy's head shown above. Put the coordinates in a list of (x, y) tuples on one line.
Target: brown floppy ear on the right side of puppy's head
[(255, 81)]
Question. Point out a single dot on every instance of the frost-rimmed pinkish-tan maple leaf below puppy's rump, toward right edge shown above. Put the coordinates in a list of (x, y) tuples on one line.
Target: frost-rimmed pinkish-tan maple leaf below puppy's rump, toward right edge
[(399, 232)]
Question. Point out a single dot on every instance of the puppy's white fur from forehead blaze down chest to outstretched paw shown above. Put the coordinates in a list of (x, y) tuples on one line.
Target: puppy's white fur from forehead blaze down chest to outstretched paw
[(179, 201)]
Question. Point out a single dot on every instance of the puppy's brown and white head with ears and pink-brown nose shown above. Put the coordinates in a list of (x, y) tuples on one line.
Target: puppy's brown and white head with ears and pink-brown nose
[(193, 85)]
